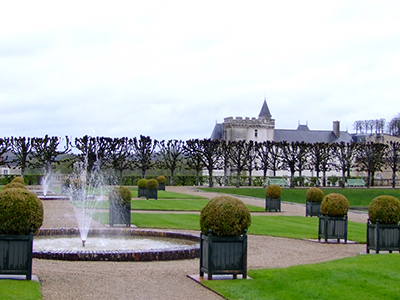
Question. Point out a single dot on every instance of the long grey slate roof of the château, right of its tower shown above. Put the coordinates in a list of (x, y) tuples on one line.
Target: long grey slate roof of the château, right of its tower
[(310, 136)]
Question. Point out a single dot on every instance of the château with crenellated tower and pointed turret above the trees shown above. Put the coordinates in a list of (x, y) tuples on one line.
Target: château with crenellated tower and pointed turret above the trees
[(263, 129)]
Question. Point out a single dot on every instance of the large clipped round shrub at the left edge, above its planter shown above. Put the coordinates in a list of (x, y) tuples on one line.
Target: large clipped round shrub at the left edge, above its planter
[(20, 211)]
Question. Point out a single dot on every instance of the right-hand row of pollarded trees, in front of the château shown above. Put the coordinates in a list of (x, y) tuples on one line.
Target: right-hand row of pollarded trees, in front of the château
[(239, 156)]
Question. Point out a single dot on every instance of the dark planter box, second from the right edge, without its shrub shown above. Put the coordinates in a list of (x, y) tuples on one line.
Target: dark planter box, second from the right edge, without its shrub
[(332, 228)]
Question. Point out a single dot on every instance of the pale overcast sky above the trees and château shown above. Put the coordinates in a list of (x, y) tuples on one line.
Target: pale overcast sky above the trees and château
[(172, 69)]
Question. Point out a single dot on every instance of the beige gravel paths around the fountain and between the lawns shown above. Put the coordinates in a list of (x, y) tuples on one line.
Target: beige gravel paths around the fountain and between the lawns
[(168, 280)]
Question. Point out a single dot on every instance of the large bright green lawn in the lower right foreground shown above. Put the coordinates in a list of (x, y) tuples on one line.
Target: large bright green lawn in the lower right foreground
[(362, 277)]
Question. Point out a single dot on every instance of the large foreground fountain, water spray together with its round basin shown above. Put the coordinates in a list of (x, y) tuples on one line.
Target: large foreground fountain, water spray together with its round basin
[(85, 190)]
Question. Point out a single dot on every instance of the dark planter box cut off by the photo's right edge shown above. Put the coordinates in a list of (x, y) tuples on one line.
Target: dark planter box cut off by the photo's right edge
[(383, 237)]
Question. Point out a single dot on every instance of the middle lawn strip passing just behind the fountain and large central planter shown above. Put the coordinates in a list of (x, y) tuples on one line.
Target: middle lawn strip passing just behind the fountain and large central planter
[(279, 226)]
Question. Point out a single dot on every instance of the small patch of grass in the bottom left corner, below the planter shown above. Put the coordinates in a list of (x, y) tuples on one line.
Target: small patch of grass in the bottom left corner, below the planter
[(19, 290)]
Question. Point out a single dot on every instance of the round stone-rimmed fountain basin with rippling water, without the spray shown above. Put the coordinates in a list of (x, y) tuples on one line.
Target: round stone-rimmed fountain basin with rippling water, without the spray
[(116, 244)]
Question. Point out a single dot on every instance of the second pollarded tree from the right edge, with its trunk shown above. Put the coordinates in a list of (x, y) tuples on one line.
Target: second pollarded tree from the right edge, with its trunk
[(370, 158)]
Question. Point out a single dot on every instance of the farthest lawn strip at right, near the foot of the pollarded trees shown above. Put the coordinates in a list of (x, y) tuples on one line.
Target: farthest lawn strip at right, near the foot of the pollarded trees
[(358, 197)]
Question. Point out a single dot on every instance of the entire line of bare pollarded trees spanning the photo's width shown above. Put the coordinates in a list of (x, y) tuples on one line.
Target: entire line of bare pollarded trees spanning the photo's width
[(235, 157)]
